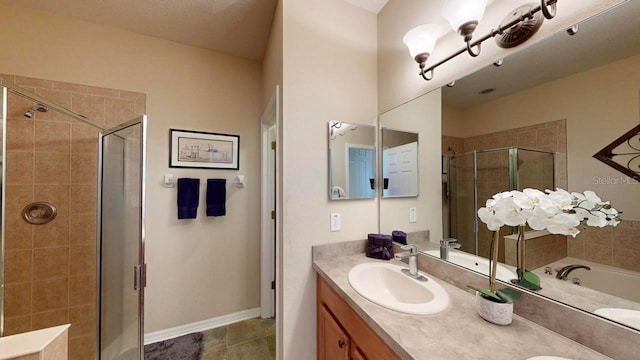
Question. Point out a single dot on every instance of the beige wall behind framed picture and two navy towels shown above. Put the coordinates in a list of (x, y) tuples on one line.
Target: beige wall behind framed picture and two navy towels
[(197, 269)]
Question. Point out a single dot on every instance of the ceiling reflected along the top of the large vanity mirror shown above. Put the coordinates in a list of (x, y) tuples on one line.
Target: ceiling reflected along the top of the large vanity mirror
[(608, 37)]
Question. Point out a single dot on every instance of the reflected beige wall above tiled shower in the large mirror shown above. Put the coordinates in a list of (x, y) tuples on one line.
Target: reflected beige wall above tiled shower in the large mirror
[(599, 106)]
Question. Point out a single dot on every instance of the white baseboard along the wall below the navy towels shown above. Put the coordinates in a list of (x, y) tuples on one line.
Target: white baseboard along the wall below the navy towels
[(200, 326)]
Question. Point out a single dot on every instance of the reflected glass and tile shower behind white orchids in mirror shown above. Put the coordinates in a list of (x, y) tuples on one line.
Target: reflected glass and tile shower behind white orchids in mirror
[(474, 177)]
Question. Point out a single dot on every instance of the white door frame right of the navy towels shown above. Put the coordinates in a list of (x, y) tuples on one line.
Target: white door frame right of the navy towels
[(268, 229)]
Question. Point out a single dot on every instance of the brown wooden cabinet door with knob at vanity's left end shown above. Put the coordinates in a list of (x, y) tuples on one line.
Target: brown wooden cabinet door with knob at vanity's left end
[(333, 342)]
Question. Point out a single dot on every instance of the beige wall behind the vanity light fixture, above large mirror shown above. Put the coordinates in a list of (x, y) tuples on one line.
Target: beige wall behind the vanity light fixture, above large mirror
[(398, 73)]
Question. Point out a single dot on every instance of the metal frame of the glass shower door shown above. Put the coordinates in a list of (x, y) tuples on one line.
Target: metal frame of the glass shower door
[(140, 270)]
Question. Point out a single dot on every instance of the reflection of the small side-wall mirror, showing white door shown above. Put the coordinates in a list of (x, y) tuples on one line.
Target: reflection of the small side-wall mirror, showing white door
[(399, 163)]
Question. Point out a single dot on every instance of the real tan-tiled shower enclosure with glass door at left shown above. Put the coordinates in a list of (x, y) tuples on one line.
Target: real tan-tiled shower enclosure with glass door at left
[(77, 255)]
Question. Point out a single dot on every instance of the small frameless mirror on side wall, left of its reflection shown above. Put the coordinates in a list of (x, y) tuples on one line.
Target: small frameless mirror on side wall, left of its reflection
[(352, 161)]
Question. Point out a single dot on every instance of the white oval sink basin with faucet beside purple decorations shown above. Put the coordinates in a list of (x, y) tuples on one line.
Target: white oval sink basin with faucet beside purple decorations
[(385, 285)]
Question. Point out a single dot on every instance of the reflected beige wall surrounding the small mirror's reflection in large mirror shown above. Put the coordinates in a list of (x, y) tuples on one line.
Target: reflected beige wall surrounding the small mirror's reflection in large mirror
[(420, 115)]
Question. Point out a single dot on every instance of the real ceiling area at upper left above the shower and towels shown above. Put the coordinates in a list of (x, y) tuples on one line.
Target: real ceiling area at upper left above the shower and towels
[(237, 27)]
